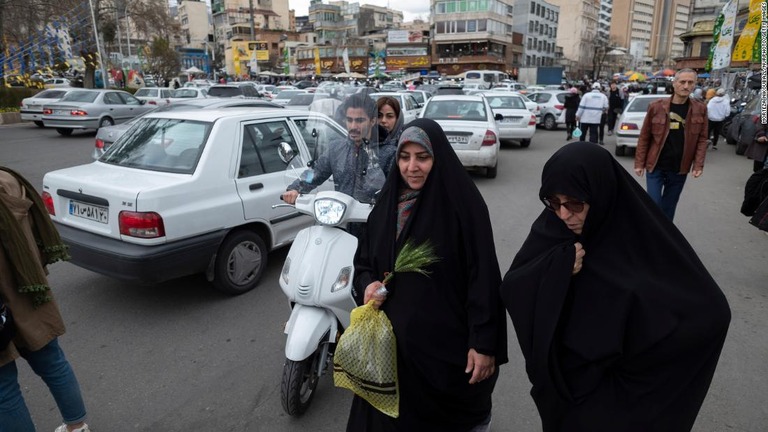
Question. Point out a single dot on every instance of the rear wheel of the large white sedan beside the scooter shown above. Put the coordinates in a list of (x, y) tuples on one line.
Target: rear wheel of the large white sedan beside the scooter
[(240, 262)]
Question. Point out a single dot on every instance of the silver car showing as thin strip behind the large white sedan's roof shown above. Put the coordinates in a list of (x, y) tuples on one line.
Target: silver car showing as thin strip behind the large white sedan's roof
[(108, 135)]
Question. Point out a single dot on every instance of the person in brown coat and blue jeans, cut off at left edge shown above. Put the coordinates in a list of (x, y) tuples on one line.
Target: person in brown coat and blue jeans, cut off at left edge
[(29, 243)]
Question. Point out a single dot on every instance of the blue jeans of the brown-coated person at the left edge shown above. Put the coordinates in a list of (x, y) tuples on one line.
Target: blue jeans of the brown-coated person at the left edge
[(50, 364)]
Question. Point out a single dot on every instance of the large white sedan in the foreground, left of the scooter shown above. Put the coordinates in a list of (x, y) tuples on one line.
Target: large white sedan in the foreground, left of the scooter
[(187, 192)]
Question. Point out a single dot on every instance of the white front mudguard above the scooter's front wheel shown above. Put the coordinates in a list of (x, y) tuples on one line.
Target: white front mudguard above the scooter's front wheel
[(305, 329)]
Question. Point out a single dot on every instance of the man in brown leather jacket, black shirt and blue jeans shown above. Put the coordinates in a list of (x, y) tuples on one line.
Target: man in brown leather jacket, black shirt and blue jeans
[(673, 139)]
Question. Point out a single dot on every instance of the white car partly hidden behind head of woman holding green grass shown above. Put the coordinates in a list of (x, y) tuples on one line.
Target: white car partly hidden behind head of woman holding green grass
[(470, 126)]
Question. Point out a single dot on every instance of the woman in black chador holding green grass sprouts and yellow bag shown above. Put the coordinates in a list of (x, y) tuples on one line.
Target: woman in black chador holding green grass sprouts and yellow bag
[(449, 325)]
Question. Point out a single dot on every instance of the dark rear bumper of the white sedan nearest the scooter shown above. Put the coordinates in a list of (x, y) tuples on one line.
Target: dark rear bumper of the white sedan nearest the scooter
[(137, 263)]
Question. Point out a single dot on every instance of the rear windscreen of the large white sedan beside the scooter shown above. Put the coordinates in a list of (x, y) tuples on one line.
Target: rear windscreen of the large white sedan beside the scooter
[(157, 144)]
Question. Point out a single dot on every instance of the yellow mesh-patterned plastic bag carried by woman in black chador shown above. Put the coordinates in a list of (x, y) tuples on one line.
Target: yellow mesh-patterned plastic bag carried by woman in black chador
[(366, 360)]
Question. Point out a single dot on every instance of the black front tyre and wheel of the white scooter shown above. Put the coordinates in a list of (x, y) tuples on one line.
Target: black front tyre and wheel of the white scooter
[(298, 384)]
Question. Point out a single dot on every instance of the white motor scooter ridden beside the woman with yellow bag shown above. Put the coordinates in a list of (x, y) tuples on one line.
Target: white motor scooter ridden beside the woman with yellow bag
[(317, 279)]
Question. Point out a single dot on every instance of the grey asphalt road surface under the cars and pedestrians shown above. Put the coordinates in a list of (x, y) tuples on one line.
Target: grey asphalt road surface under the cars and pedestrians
[(182, 357)]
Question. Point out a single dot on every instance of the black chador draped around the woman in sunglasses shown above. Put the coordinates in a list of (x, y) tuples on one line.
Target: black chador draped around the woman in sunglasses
[(631, 342)]
